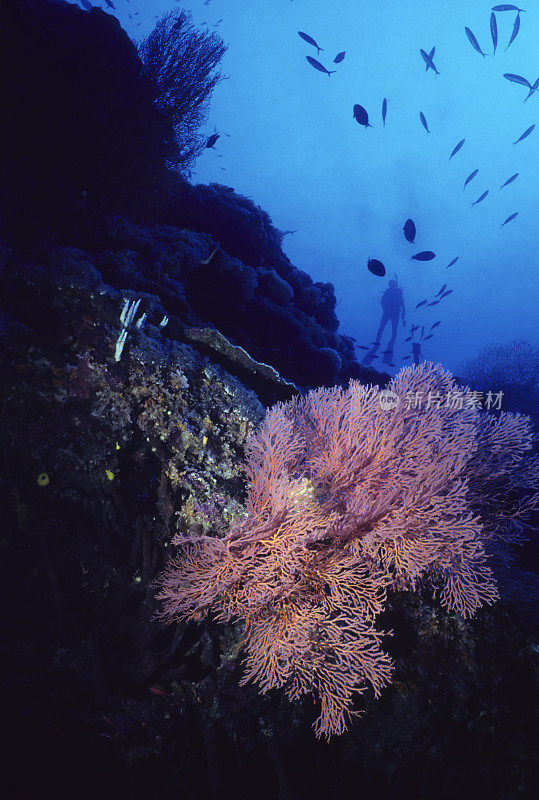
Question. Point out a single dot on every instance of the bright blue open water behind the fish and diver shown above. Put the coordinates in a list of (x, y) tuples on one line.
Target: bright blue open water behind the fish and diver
[(295, 147)]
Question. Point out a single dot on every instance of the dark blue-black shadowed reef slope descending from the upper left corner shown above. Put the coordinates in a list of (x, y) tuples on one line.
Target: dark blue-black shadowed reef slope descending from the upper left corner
[(93, 177)]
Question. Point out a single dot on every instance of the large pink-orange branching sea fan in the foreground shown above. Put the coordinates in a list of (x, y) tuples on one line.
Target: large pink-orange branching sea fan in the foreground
[(347, 500)]
